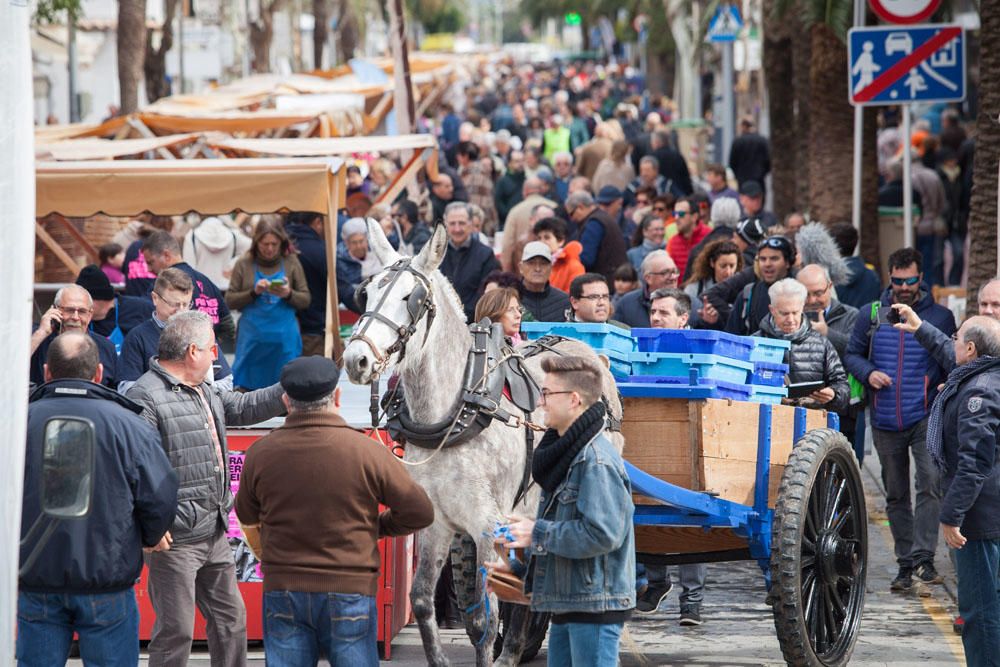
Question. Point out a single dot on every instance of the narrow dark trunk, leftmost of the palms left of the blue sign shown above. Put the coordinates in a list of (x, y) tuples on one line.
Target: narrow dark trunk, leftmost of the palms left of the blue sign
[(779, 78)]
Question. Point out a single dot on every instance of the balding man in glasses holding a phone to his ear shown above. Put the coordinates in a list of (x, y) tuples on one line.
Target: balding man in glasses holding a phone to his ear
[(72, 310)]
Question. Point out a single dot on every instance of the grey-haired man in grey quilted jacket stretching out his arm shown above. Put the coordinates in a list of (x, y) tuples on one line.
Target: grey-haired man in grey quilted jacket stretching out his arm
[(191, 417)]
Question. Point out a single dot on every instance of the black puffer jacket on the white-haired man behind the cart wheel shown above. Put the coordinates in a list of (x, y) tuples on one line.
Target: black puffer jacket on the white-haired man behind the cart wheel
[(812, 358)]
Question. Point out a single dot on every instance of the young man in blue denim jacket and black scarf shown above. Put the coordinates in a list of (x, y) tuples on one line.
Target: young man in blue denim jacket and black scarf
[(581, 549)]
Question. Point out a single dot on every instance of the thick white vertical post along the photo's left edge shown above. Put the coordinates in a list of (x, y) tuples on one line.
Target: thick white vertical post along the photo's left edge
[(17, 191)]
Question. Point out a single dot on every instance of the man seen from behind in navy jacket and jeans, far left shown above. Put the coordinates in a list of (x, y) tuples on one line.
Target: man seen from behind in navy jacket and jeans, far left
[(83, 577)]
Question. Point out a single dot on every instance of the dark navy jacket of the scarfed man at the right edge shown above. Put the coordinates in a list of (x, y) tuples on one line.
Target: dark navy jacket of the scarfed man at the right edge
[(971, 448)]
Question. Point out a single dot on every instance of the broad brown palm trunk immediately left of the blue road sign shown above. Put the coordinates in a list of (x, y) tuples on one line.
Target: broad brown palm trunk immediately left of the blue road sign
[(831, 130)]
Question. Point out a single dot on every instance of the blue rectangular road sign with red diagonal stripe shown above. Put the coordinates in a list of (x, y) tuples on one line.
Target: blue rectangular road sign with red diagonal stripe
[(900, 64)]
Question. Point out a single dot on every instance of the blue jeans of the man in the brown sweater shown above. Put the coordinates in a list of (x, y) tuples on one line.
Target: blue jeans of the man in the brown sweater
[(299, 627)]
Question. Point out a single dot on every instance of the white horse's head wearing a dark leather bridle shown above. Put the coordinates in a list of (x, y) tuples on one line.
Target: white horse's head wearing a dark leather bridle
[(397, 304)]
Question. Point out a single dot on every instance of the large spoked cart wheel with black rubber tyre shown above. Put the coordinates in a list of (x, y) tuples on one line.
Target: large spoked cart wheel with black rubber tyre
[(819, 559)]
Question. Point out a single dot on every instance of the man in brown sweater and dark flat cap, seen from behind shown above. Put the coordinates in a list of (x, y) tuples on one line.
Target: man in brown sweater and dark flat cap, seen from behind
[(311, 492)]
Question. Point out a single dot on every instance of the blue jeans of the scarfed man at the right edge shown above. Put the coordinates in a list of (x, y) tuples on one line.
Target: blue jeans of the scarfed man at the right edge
[(979, 600)]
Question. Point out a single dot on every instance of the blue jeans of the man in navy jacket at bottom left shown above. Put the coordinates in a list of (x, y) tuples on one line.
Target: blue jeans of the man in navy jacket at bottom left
[(107, 623)]
